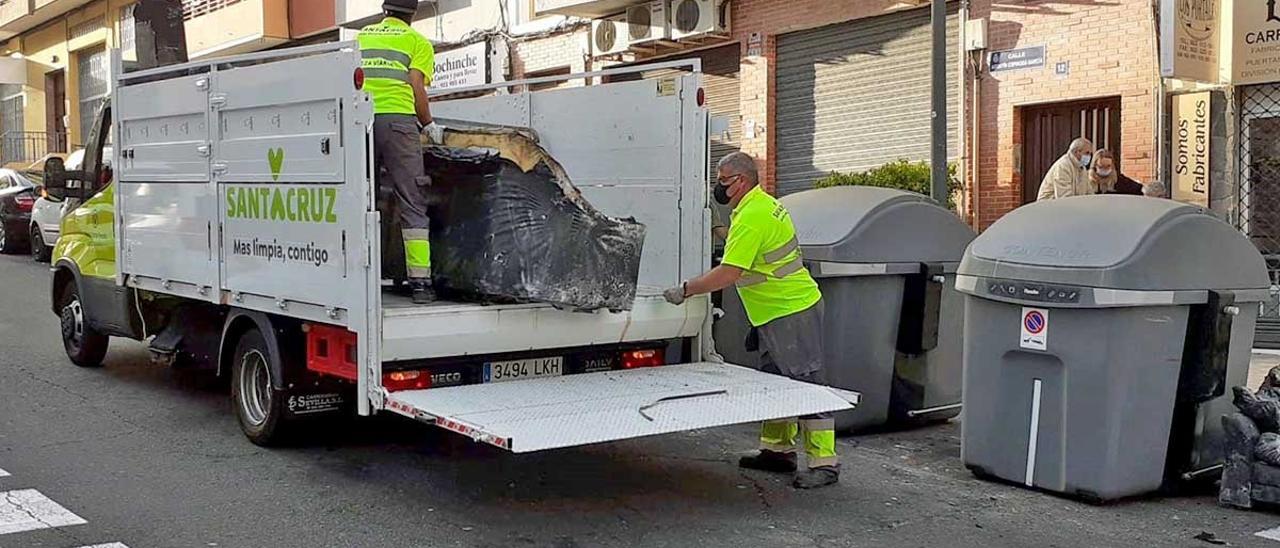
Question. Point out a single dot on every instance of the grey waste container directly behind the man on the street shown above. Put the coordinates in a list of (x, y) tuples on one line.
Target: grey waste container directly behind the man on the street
[(885, 261)]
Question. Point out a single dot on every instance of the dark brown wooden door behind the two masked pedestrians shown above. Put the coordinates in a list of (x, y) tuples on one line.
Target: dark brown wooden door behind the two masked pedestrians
[(1049, 130)]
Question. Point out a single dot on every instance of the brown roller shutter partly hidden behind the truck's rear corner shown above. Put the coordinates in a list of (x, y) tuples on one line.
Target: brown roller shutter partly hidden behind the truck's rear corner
[(720, 83)]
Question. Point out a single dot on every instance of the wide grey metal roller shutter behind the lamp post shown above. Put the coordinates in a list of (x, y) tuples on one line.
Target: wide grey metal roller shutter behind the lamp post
[(853, 97)]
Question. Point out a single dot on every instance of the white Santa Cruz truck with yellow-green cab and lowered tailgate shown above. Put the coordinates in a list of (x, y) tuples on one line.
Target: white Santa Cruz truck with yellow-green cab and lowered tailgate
[(241, 231)]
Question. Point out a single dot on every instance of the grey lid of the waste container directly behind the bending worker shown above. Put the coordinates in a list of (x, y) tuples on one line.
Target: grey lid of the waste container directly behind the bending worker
[(870, 225)]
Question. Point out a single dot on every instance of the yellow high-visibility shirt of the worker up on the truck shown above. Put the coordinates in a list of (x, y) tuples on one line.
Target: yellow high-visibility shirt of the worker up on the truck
[(390, 51)]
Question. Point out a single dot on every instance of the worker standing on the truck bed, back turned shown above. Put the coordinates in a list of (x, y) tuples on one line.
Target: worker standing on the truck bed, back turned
[(399, 66)]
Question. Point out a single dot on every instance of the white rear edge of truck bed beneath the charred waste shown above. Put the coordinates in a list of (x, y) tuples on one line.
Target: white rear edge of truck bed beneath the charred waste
[(447, 328)]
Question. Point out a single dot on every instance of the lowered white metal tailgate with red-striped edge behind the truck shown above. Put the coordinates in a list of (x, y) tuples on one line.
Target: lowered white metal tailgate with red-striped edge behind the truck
[(577, 410)]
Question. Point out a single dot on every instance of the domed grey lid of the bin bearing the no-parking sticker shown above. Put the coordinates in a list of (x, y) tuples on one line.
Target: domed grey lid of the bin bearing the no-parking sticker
[(1122, 243)]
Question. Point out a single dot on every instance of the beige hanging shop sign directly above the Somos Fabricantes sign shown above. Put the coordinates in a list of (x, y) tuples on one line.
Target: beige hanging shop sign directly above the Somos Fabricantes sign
[(1190, 39)]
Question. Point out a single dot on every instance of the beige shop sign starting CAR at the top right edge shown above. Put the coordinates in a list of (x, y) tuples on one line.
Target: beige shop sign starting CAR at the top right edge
[(1256, 43)]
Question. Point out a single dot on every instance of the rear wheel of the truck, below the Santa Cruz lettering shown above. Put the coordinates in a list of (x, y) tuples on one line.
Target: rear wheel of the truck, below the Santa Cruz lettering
[(259, 407)]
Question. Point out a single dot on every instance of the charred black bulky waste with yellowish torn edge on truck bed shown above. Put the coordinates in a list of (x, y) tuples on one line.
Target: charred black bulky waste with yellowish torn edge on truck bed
[(508, 226)]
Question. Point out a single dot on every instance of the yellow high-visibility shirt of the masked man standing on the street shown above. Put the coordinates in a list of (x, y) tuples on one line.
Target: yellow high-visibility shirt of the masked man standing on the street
[(762, 241)]
